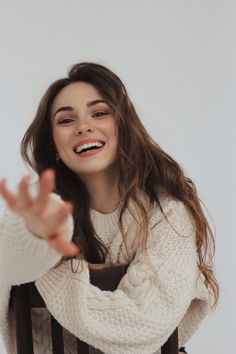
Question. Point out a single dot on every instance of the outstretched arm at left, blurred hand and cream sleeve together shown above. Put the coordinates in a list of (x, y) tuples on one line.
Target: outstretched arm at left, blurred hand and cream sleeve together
[(34, 231)]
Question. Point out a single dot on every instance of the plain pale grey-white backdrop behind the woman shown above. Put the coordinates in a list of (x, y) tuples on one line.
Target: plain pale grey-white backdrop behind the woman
[(177, 59)]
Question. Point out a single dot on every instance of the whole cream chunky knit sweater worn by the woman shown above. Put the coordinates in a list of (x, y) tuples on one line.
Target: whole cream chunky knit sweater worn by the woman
[(148, 304)]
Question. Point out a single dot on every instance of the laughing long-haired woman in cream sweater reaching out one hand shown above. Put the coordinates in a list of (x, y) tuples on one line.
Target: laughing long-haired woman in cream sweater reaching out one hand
[(130, 203)]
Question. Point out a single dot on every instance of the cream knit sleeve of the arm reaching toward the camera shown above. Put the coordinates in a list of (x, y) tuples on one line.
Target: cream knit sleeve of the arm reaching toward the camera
[(23, 256)]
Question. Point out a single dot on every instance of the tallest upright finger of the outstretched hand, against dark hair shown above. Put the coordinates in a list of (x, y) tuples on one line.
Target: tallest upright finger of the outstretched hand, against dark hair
[(45, 188)]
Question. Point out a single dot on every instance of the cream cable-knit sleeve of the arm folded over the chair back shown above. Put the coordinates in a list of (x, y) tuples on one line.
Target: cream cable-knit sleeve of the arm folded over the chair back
[(150, 301)]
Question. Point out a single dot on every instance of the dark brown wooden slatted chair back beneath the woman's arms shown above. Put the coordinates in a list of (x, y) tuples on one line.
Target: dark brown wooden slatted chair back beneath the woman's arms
[(26, 296)]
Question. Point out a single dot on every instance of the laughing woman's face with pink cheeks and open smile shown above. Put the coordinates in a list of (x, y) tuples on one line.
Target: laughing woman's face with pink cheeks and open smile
[(79, 114)]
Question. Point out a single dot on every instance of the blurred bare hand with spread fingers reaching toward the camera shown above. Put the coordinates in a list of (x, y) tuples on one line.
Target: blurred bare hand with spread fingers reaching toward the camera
[(45, 216)]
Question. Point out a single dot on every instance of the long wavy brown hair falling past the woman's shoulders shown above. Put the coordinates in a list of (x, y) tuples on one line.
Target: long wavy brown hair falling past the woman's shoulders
[(143, 163)]
